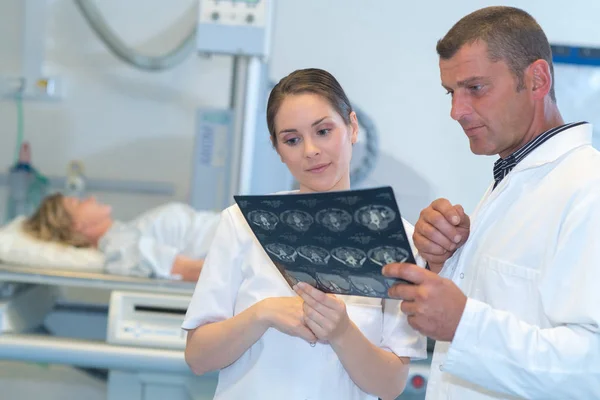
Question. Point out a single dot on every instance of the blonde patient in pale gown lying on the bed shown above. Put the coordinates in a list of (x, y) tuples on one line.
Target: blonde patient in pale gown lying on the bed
[(171, 240)]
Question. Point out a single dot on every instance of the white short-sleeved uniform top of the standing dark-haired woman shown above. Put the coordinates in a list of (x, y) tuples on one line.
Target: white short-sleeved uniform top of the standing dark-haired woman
[(237, 274)]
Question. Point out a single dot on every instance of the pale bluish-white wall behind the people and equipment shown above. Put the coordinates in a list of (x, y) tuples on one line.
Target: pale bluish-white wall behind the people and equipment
[(129, 124)]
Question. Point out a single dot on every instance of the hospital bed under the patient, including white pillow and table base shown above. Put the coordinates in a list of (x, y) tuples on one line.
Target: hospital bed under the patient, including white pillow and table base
[(116, 323)]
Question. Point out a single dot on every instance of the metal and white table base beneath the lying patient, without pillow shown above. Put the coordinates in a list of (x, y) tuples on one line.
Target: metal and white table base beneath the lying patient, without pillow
[(143, 344)]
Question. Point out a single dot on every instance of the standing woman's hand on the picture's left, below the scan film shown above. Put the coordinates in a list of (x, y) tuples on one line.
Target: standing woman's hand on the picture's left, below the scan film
[(286, 314)]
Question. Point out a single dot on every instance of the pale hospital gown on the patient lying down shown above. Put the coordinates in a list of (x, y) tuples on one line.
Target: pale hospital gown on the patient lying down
[(148, 245)]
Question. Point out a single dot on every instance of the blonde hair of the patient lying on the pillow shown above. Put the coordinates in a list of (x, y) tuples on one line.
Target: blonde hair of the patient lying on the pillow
[(52, 223)]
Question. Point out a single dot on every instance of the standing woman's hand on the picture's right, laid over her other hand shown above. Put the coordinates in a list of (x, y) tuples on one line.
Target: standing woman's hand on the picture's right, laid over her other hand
[(324, 314)]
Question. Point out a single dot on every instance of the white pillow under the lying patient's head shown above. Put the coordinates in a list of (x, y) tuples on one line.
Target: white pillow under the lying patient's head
[(18, 247)]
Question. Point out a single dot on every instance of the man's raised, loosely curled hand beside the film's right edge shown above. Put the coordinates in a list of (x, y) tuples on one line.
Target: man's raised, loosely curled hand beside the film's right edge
[(441, 229)]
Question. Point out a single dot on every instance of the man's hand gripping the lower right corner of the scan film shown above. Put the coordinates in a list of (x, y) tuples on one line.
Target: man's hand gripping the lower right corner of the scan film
[(433, 305)]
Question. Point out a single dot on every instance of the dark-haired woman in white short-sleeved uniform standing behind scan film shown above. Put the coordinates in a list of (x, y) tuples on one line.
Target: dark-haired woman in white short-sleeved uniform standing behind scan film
[(245, 320)]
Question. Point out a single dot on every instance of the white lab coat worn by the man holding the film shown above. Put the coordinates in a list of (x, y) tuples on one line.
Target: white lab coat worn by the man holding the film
[(531, 270)]
